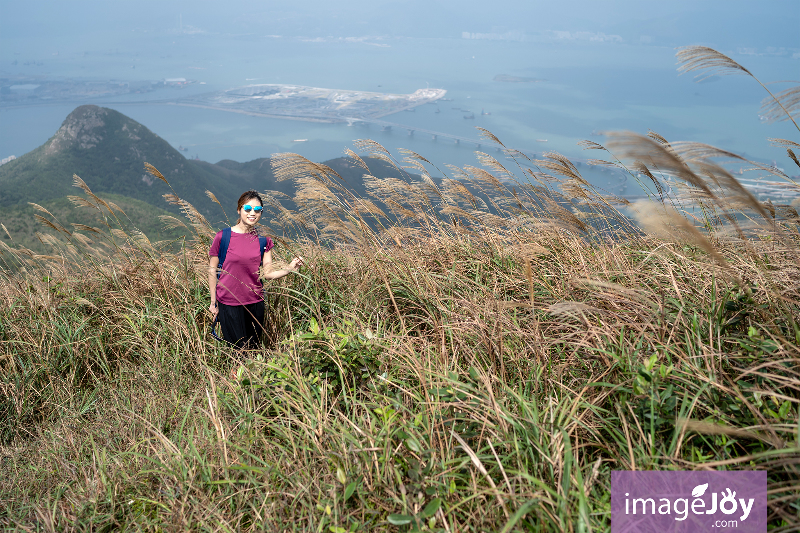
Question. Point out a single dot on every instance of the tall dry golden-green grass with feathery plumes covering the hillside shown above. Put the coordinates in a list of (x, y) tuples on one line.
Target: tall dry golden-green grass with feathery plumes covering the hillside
[(467, 354)]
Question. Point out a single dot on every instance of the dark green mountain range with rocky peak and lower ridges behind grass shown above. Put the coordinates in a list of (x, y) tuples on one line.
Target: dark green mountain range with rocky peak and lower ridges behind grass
[(108, 151)]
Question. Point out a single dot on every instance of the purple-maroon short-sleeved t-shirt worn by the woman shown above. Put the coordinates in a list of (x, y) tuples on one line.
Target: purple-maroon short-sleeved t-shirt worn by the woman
[(239, 284)]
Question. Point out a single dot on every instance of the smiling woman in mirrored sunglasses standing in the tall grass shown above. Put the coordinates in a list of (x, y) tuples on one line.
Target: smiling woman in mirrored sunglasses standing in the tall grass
[(236, 290)]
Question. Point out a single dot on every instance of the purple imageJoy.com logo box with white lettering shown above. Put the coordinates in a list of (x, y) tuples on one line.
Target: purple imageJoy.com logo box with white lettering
[(687, 502)]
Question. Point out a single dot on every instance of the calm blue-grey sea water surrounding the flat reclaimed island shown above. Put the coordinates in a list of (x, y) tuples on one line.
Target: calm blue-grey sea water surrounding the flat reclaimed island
[(584, 90)]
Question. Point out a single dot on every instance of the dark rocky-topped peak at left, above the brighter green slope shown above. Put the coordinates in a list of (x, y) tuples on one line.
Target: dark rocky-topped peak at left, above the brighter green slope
[(108, 151)]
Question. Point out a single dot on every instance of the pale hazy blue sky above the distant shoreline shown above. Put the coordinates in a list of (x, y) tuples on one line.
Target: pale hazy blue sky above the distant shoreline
[(728, 23)]
